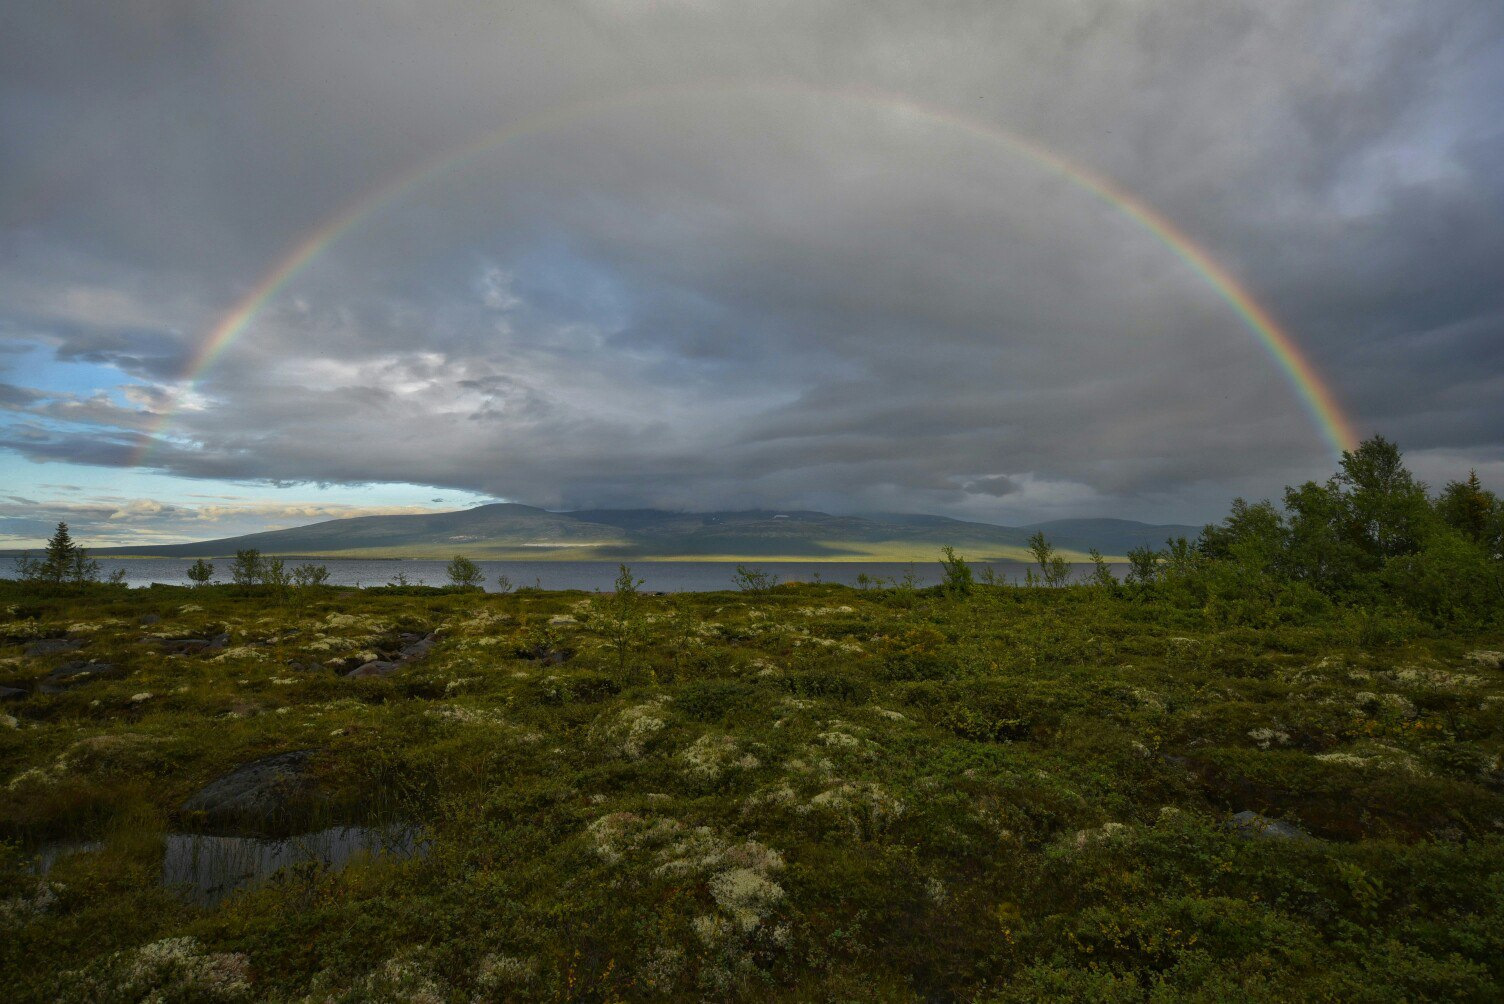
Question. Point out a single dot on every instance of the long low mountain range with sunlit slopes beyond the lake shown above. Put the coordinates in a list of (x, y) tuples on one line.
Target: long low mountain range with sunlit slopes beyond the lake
[(511, 531)]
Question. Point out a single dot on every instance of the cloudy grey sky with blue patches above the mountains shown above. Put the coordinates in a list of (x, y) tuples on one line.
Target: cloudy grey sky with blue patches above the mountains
[(267, 264)]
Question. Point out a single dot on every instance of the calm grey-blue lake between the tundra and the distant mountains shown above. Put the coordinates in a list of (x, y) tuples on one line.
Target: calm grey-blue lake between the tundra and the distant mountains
[(660, 576)]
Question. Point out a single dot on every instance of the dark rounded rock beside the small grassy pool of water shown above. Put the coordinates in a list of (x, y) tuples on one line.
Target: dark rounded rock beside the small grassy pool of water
[(264, 797)]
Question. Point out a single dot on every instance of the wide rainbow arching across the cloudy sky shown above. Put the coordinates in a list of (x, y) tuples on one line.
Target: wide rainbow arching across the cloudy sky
[(1306, 381)]
